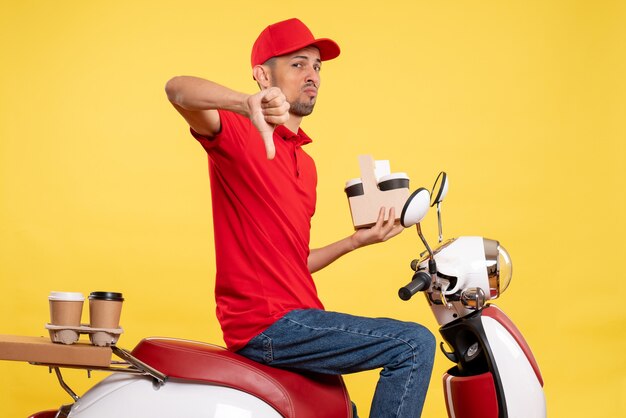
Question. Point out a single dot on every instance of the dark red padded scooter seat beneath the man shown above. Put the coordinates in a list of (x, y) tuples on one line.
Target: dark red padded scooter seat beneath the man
[(291, 394)]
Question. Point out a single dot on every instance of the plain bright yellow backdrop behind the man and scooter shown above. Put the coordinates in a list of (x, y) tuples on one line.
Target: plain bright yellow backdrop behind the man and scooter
[(521, 102)]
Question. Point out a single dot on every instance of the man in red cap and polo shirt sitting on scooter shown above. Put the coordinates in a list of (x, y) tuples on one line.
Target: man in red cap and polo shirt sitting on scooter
[(263, 195)]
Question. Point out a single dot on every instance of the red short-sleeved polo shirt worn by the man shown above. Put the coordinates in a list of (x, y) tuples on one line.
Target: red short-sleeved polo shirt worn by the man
[(262, 213)]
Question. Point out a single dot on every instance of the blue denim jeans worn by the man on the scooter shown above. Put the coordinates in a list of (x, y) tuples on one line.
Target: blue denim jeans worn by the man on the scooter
[(336, 343)]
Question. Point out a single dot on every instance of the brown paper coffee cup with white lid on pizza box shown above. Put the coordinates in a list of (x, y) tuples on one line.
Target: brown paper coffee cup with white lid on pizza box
[(66, 309)]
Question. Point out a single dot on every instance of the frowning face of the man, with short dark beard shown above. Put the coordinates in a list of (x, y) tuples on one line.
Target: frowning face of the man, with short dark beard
[(298, 76)]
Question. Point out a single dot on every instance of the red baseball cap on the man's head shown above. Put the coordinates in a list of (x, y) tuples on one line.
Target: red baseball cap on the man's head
[(288, 36)]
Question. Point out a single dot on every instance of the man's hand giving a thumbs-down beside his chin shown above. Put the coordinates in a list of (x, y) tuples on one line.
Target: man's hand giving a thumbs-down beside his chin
[(268, 108)]
